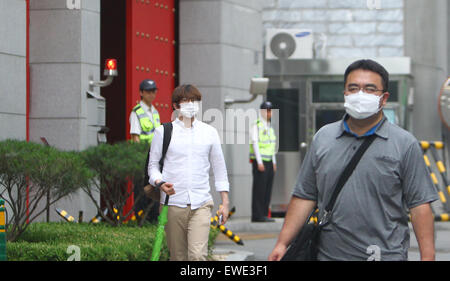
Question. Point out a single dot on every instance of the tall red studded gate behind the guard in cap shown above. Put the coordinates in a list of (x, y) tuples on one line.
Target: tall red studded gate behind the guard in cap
[(151, 52)]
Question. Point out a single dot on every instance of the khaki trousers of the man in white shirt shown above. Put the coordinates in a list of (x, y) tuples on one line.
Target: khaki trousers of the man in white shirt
[(187, 232)]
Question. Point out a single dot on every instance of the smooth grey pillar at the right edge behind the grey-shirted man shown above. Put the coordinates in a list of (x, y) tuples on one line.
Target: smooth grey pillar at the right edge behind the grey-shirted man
[(428, 46)]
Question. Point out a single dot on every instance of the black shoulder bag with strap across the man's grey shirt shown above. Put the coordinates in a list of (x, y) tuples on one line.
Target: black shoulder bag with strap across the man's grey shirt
[(305, 245)]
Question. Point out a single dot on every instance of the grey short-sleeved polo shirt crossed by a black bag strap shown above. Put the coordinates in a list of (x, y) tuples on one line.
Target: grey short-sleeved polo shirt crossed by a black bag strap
[(371, 211)]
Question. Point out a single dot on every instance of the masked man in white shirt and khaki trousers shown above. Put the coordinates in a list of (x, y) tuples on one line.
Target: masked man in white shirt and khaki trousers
[(194, 148)]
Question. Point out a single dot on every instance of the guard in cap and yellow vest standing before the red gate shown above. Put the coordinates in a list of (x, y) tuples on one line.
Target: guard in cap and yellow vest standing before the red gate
[(144, 119)]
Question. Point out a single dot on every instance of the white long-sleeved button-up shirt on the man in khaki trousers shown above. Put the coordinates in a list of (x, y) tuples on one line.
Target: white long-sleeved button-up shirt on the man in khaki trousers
[(191, 153)]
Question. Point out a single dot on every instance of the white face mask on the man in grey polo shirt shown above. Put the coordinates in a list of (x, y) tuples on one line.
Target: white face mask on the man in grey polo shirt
[(362, 105)]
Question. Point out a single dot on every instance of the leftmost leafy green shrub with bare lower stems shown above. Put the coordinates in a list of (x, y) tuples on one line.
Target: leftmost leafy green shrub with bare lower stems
[(30, 172)]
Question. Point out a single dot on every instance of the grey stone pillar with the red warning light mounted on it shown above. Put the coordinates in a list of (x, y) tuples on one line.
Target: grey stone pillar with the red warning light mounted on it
[(64, 54)]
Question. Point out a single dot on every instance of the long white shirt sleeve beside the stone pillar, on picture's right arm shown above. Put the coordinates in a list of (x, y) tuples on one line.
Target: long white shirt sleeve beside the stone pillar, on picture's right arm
[(218, 164)]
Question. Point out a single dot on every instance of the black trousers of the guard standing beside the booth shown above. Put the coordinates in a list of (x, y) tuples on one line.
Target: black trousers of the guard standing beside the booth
[(262, 189)]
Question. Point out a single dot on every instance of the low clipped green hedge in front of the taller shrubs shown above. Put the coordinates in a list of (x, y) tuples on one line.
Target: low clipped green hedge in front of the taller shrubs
[(101, 242)]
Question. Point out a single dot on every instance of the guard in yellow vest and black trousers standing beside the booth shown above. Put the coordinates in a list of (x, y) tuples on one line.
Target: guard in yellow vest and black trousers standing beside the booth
[(262, 157)]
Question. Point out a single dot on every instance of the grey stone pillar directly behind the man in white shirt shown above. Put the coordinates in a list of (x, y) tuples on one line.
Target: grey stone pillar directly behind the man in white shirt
[(220, 51)]
